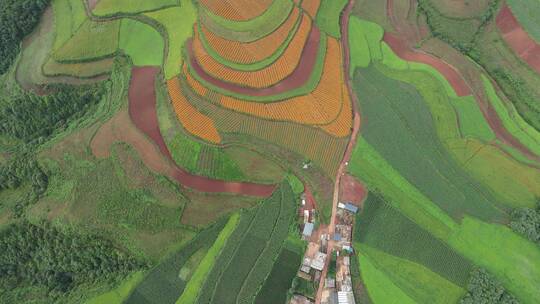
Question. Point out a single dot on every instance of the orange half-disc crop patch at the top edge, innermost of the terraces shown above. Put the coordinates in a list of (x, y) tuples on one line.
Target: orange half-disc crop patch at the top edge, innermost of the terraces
[(238, 10)]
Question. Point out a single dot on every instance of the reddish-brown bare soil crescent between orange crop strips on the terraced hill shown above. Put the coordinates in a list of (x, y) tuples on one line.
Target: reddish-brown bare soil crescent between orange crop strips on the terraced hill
[(298, 78)]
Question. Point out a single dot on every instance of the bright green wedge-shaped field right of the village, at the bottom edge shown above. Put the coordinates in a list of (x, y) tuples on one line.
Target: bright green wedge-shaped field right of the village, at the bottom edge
[(416, 281)]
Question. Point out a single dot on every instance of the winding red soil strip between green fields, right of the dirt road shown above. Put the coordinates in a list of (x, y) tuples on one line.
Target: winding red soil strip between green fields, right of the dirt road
[(449, 72)]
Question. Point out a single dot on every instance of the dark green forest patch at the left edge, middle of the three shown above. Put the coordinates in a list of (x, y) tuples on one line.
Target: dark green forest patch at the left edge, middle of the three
[(29, 117)]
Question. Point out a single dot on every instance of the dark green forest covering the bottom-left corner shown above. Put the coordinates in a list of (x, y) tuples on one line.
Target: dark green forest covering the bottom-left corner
[(57, 261)]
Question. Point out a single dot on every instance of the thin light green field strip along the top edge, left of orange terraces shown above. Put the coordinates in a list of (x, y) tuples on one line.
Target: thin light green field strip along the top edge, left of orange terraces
[(120, 7)]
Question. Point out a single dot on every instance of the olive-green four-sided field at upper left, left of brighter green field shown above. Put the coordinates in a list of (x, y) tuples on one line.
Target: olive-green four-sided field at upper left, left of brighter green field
[(92, 41)]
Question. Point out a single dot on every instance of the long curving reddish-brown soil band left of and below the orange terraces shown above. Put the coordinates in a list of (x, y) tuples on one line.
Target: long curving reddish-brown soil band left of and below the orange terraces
[(142, 110)]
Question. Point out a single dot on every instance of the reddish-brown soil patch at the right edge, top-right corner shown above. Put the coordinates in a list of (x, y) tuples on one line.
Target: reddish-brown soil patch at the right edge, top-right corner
[(518, 39)]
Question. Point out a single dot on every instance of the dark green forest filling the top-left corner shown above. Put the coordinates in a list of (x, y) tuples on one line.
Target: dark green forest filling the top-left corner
[(17, 19)]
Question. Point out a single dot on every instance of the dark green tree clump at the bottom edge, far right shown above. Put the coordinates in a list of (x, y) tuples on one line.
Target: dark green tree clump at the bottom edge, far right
[(483, 288)]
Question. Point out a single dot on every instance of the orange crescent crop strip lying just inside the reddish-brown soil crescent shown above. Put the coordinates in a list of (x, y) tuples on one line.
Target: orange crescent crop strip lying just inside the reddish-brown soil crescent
[(266, 77)]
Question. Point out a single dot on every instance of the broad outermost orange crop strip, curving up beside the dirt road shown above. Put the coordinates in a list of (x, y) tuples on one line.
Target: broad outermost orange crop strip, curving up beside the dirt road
[(320, 107)]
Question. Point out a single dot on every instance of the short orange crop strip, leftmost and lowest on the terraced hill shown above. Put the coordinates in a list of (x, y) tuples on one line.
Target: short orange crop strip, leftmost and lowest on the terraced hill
[(193, 121)]
